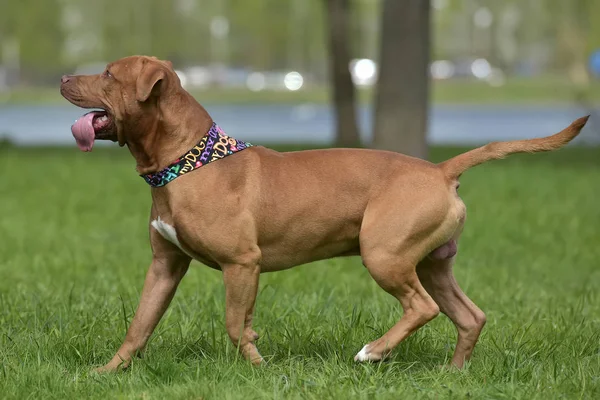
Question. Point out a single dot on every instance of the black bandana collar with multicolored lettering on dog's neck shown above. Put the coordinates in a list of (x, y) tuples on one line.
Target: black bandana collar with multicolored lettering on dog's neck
[(213, 146)]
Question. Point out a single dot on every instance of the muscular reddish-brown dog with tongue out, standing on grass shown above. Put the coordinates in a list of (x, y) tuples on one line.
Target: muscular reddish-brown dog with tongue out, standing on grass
[(260, 210)]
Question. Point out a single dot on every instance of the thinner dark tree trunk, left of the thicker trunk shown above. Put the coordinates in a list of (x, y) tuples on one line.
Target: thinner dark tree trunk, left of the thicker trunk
[(338, 16)]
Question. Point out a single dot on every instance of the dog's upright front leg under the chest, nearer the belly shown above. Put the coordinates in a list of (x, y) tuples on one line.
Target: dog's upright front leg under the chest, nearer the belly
[(241, 286)]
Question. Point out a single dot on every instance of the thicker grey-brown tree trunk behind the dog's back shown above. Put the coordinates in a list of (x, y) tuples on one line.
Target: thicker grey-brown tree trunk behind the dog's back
[(401, 102)]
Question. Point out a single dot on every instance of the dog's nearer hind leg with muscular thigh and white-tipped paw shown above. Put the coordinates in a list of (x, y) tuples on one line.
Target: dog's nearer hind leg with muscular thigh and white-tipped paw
[(394, 239)]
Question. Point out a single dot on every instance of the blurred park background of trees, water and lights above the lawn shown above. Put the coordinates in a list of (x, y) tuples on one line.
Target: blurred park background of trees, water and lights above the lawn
[(312, 71)]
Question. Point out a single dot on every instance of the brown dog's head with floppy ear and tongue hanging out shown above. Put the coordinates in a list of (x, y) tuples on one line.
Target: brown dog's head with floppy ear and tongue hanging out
[(125, 98)]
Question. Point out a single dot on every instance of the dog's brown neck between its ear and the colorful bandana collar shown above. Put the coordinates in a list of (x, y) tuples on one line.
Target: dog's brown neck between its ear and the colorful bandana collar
[(169, 135)]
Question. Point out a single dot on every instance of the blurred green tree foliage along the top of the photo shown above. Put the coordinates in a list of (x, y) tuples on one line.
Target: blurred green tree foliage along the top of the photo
[(57, 35)]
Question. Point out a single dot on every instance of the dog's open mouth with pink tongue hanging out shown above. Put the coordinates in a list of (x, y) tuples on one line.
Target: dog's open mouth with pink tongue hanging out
[(91, 126)]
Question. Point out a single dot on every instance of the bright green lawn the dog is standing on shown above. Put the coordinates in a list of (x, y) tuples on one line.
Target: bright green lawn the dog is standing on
[(74, 251)]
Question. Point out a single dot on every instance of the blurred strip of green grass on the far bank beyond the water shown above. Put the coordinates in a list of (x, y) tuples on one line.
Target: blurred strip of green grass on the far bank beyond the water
[(542, 90)]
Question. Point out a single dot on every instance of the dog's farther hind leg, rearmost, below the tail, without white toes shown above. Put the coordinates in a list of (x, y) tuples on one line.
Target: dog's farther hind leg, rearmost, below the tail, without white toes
[(438, 279)]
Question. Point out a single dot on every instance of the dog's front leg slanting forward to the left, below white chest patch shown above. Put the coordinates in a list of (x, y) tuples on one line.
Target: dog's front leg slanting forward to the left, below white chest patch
[(161, 282)]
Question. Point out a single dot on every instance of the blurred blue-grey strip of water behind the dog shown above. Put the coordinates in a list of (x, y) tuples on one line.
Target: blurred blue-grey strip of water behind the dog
[(311, 123)]
